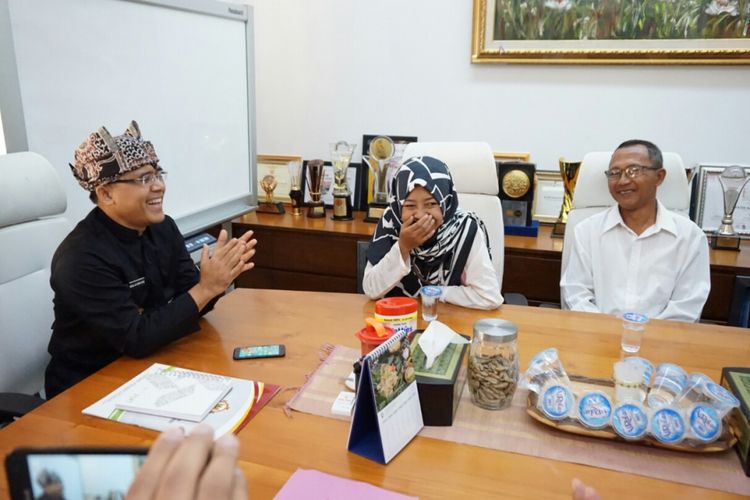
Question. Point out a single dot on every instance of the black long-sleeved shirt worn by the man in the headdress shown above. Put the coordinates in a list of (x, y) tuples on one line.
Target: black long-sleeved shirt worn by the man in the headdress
[(117, 292)]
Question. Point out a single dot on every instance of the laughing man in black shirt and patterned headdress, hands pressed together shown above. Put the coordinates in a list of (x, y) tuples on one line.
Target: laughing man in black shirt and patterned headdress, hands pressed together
[(123, 280)]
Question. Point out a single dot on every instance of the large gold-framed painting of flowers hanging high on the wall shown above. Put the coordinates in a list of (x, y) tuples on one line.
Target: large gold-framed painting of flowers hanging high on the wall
[(571, 38)]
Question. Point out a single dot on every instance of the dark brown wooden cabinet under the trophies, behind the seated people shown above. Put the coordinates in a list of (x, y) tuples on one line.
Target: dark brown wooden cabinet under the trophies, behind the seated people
[(298, 253)]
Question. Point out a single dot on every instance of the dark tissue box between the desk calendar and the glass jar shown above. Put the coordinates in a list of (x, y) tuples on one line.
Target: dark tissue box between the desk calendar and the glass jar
[(440, 387)]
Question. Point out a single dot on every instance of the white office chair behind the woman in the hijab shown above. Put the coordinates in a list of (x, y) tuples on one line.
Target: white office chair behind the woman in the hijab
[(475, 179)]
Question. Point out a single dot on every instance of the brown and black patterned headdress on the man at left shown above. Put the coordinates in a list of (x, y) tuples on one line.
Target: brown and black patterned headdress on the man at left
[(102, 158)]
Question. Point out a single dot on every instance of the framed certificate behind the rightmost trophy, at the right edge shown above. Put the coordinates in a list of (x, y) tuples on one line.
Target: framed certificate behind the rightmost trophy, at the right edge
[(709, 201)]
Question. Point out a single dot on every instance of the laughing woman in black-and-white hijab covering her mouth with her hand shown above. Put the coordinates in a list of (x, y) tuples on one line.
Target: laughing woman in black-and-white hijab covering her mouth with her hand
[(423, 238)]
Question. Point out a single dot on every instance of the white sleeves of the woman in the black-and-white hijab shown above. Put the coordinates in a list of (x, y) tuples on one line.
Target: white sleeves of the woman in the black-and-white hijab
[(480, 288)]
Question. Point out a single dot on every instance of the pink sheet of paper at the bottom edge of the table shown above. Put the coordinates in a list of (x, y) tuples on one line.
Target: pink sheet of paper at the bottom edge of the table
[(314, 485)]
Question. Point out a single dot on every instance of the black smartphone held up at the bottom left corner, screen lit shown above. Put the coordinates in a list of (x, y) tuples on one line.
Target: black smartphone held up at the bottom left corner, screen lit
[(72, 472)]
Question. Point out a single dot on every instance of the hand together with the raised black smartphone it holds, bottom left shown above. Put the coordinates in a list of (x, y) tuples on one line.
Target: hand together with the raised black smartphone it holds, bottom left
[(193, 466)]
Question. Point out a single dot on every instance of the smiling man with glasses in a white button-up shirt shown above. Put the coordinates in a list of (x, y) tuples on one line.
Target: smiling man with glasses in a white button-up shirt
[(637, 255)]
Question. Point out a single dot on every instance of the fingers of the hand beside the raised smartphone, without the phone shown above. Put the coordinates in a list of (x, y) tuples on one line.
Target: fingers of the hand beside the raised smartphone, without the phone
[(194, 467)]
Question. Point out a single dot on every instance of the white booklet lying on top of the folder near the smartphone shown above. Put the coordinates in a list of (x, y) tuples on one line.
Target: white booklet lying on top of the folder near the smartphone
[(168, 391)]
